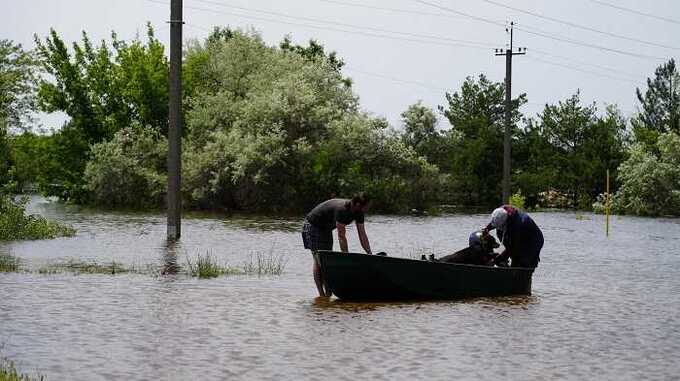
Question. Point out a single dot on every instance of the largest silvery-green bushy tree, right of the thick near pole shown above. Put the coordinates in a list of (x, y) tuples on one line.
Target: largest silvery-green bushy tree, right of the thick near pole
[(270, 128)]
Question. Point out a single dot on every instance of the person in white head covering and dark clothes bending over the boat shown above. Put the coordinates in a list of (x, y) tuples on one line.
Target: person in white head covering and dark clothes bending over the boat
[(520, 235)]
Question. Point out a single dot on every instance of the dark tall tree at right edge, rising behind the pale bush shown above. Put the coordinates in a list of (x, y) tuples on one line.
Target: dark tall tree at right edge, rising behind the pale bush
[(660, 104)]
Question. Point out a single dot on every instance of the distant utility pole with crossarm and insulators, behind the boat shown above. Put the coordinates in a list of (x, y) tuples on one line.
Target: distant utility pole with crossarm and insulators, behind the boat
[(508, 53)]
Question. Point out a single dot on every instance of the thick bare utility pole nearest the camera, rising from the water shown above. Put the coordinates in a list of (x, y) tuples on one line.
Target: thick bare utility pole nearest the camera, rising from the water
[(175, 123)]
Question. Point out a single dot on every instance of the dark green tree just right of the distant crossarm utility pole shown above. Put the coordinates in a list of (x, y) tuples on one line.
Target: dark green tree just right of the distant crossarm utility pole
[(568, 151)]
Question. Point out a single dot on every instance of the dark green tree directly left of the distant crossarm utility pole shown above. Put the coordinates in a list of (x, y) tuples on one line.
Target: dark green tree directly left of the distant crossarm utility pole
[(476, 115)]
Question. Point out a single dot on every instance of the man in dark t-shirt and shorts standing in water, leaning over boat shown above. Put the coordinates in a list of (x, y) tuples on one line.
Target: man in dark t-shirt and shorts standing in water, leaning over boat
[(336, 213)]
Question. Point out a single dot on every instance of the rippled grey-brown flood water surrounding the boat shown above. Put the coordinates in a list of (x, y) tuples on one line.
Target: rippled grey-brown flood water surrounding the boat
[(602, 308)]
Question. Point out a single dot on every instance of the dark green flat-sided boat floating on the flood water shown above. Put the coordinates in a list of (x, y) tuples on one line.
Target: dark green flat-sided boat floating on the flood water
[(354, 276)]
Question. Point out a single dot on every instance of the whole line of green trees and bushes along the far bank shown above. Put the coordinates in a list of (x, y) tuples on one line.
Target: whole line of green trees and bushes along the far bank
[(279, 128)]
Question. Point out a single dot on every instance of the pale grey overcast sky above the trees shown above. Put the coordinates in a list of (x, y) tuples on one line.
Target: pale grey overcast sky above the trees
[(401, 51)]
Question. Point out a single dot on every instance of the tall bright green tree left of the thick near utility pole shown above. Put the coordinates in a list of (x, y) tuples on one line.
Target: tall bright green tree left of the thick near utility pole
[(102, 90)]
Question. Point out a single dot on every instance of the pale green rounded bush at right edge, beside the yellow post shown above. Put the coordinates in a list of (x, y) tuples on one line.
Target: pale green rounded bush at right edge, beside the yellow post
[(650, 182)]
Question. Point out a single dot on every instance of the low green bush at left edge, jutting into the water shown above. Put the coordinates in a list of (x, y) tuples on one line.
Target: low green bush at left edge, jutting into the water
[(16, 225)]
